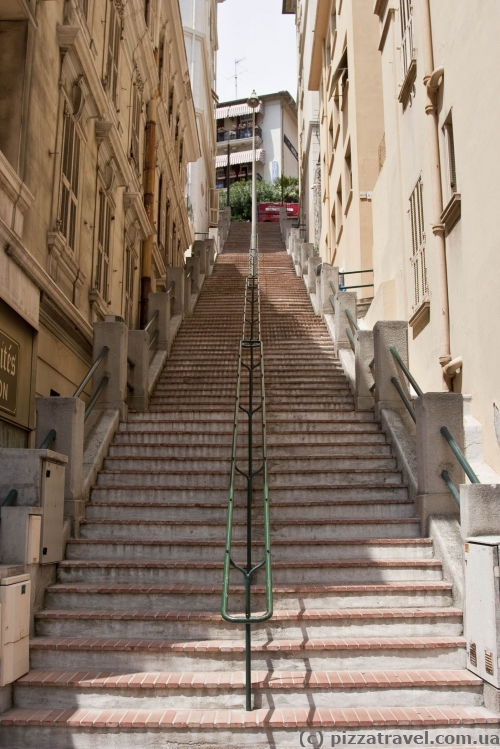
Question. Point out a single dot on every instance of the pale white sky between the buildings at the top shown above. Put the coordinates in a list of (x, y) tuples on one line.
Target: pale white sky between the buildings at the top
[(256, 31)]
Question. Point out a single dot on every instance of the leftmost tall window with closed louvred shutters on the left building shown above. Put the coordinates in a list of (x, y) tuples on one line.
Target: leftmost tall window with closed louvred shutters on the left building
[(68, 201)]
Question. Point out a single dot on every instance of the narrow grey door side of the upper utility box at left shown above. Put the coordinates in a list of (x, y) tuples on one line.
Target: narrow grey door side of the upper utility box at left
[(52, 502)]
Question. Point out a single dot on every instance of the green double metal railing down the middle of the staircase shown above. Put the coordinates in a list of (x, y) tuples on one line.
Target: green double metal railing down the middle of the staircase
[(250, 361)]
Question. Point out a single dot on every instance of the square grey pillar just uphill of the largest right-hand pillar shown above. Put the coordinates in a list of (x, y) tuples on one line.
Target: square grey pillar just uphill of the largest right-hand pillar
[(387, 333)]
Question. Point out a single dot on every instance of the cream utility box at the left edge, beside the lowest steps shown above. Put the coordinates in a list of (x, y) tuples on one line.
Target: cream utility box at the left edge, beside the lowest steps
[(15, 595)]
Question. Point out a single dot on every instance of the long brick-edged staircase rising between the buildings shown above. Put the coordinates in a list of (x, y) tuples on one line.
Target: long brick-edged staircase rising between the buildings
[(131, 649)]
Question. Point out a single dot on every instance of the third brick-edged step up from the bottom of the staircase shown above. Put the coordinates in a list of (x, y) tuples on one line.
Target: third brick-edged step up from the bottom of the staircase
[(290, 655)]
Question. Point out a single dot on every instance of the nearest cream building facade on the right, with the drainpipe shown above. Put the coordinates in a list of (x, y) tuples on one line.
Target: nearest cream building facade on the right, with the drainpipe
[(434, 204)]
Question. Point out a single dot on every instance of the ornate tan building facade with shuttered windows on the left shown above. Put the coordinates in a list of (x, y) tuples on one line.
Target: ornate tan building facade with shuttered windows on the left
[(97, 127)]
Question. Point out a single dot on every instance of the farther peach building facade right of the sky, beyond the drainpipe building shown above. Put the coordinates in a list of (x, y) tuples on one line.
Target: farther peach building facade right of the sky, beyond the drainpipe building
[(345, 69)]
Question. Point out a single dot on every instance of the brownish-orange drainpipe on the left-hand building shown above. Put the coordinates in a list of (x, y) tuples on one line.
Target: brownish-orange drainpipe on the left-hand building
[(149, 200)]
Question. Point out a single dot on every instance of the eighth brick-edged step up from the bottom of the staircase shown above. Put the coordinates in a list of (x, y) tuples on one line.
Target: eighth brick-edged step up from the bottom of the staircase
[(314, 530)]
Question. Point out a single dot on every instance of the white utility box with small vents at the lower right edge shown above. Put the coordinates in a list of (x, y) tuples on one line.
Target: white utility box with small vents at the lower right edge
[(482, 607)]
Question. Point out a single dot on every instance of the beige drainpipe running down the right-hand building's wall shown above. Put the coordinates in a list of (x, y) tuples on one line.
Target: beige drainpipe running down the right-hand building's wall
[(432, 79)]
